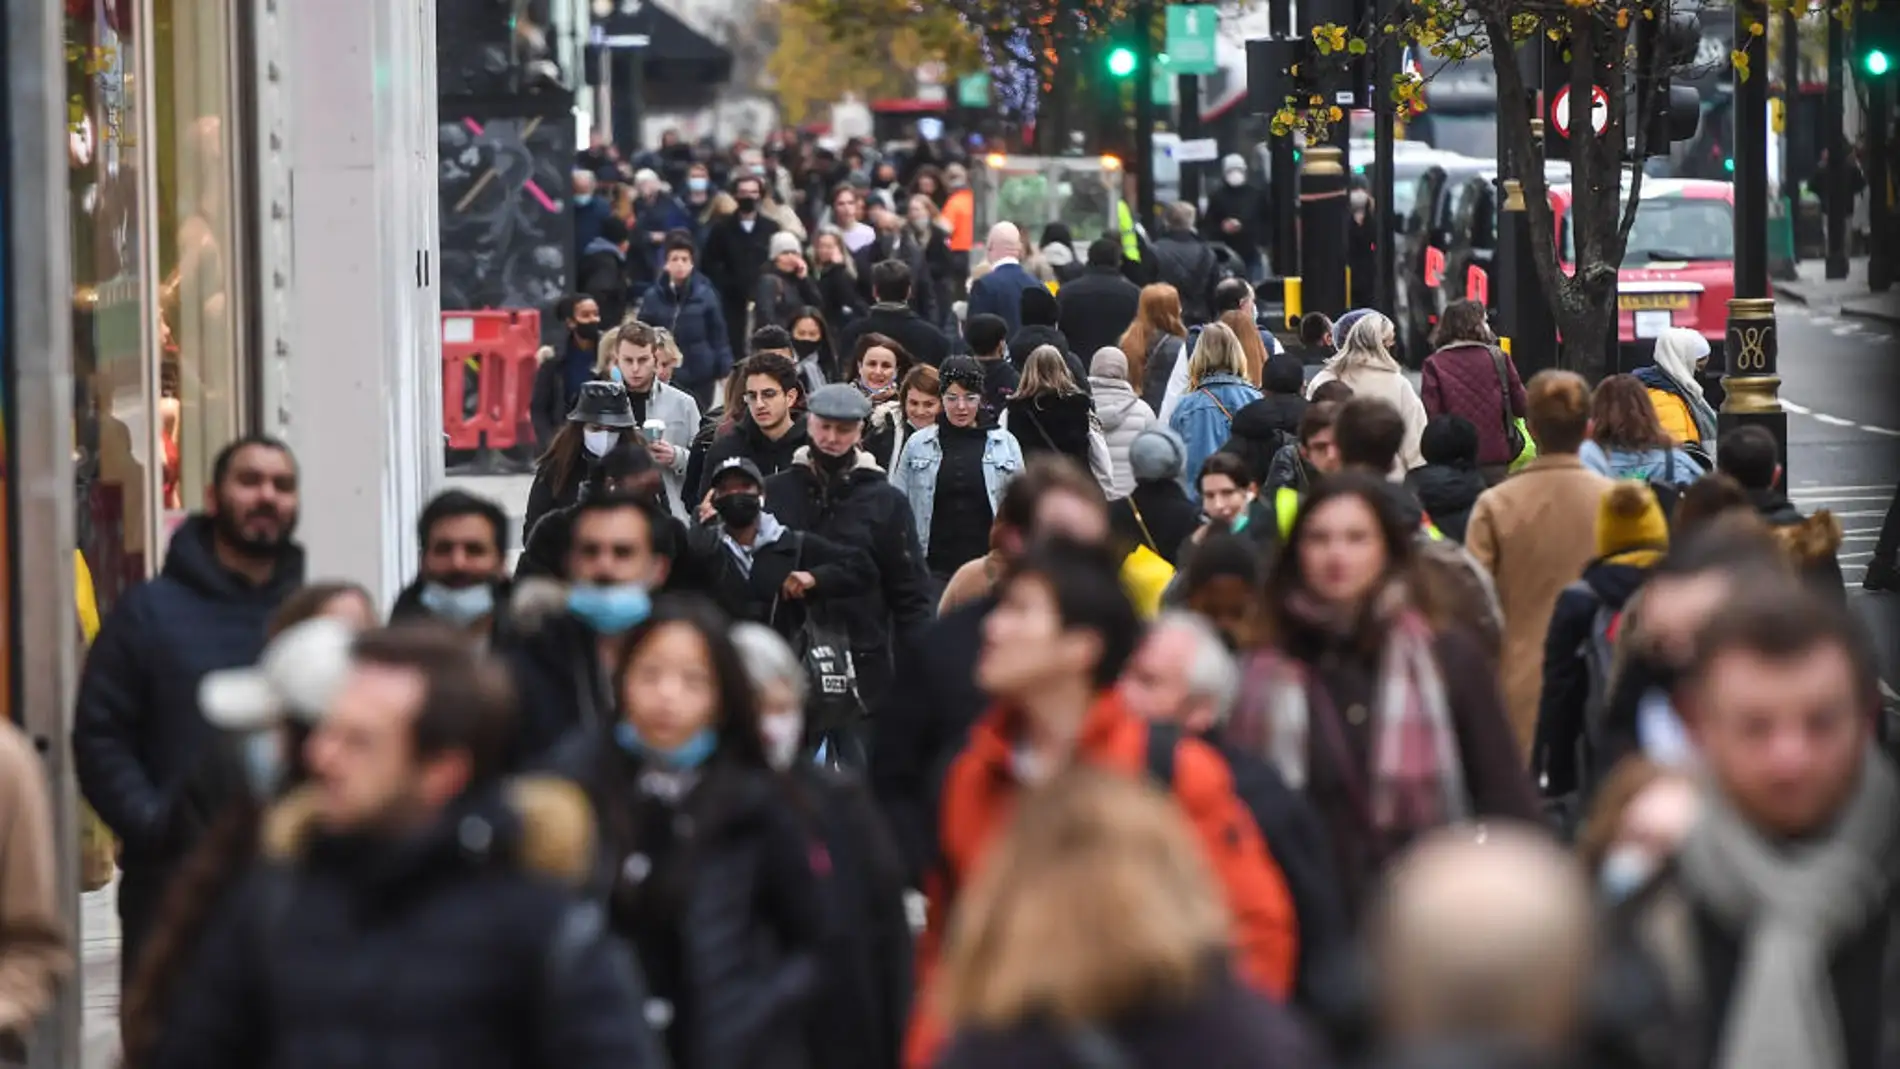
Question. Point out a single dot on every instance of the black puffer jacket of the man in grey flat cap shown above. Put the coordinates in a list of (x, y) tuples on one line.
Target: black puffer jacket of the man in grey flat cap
[(862, 510)]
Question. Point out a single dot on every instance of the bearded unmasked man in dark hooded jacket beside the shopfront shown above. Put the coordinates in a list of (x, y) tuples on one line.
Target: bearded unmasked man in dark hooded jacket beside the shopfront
[(138, 730)]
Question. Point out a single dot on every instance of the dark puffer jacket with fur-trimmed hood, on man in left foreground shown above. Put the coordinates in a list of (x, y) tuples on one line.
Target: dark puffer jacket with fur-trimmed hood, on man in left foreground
[(463, 947)]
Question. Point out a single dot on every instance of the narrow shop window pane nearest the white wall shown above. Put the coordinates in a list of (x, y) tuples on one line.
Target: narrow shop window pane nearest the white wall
[(197, 119)]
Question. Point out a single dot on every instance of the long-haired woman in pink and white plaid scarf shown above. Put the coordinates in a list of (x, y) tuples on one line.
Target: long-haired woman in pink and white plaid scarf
[(1358, 692)]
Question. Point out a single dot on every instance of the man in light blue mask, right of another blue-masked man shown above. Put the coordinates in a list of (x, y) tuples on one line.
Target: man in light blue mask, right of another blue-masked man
[(563, 637)]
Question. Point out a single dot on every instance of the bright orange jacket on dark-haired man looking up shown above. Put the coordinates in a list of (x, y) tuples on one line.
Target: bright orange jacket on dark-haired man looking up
[(981, 795)]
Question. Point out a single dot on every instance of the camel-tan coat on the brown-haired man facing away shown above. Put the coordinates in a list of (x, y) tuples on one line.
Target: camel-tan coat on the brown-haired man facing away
[(1536, 533)]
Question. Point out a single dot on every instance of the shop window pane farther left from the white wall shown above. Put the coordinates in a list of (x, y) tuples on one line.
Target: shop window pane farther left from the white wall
[(113, 432)]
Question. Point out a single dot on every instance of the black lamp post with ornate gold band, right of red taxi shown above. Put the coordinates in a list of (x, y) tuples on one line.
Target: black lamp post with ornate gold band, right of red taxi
[(1753, 371)]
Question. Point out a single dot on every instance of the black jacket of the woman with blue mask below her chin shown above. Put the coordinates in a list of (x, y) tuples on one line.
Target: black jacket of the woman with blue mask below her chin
[(717, 895)]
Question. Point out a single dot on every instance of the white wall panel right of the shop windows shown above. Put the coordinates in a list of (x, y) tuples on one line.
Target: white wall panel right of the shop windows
[(354, 384)]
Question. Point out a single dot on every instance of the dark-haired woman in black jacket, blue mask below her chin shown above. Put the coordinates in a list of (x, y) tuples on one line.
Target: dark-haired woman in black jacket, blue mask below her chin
[(710, 876)]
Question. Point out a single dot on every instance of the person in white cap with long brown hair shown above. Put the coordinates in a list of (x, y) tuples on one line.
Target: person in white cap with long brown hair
[(263, 715)]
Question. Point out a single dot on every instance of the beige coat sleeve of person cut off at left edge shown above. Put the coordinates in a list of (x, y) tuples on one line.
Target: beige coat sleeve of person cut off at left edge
[(35, 948)]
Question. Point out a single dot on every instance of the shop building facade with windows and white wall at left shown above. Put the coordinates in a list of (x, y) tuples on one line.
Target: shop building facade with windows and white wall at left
[(218, 219)]
